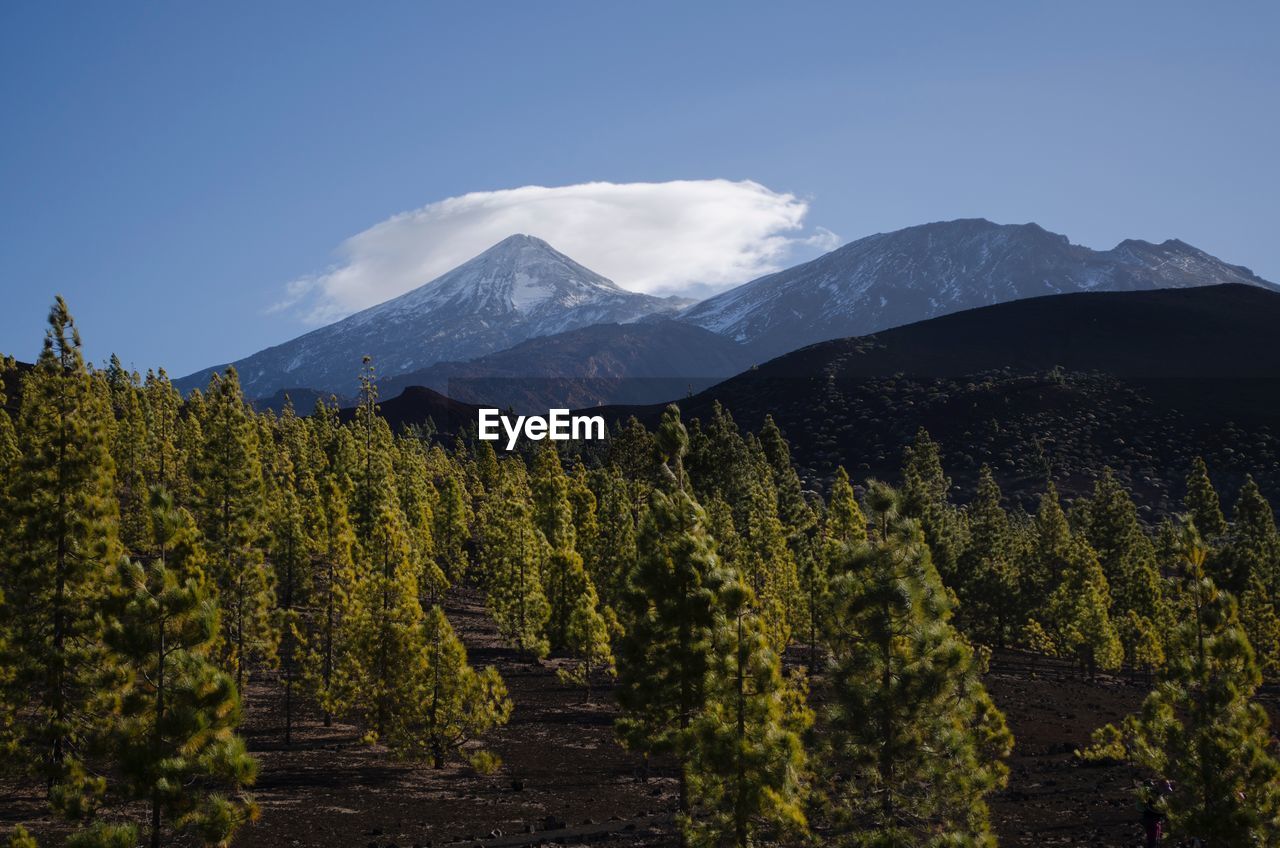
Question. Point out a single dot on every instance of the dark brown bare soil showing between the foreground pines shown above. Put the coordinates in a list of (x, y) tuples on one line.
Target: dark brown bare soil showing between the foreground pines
[(566, 781)]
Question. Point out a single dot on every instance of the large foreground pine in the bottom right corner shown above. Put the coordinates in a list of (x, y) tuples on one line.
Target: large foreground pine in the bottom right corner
[(1203, 730)]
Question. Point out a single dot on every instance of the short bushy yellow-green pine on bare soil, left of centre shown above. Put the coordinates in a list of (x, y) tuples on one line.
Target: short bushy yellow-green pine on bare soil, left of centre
[(452, 704)]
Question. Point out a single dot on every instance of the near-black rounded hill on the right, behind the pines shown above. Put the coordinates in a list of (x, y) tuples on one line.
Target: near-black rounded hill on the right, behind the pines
[(1049, 387)]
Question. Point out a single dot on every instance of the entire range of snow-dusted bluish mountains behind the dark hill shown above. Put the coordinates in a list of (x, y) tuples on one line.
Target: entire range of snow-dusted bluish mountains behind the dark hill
[(477, 322)]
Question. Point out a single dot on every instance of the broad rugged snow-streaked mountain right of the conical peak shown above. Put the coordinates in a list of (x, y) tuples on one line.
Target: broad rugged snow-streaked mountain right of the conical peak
[(912, 275)]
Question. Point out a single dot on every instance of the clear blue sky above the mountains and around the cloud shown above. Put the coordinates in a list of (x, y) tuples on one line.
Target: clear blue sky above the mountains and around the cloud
[(171, 168)]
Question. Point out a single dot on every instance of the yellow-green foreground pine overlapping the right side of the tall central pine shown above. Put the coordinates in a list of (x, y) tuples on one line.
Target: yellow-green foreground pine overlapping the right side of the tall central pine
[(747, 760)]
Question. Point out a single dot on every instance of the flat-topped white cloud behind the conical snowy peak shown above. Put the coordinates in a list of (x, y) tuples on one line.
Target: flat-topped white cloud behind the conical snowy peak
[(683, 236)]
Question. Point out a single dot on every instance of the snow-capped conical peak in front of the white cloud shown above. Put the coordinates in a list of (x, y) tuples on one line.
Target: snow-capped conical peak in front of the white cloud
[(519, 289)]
